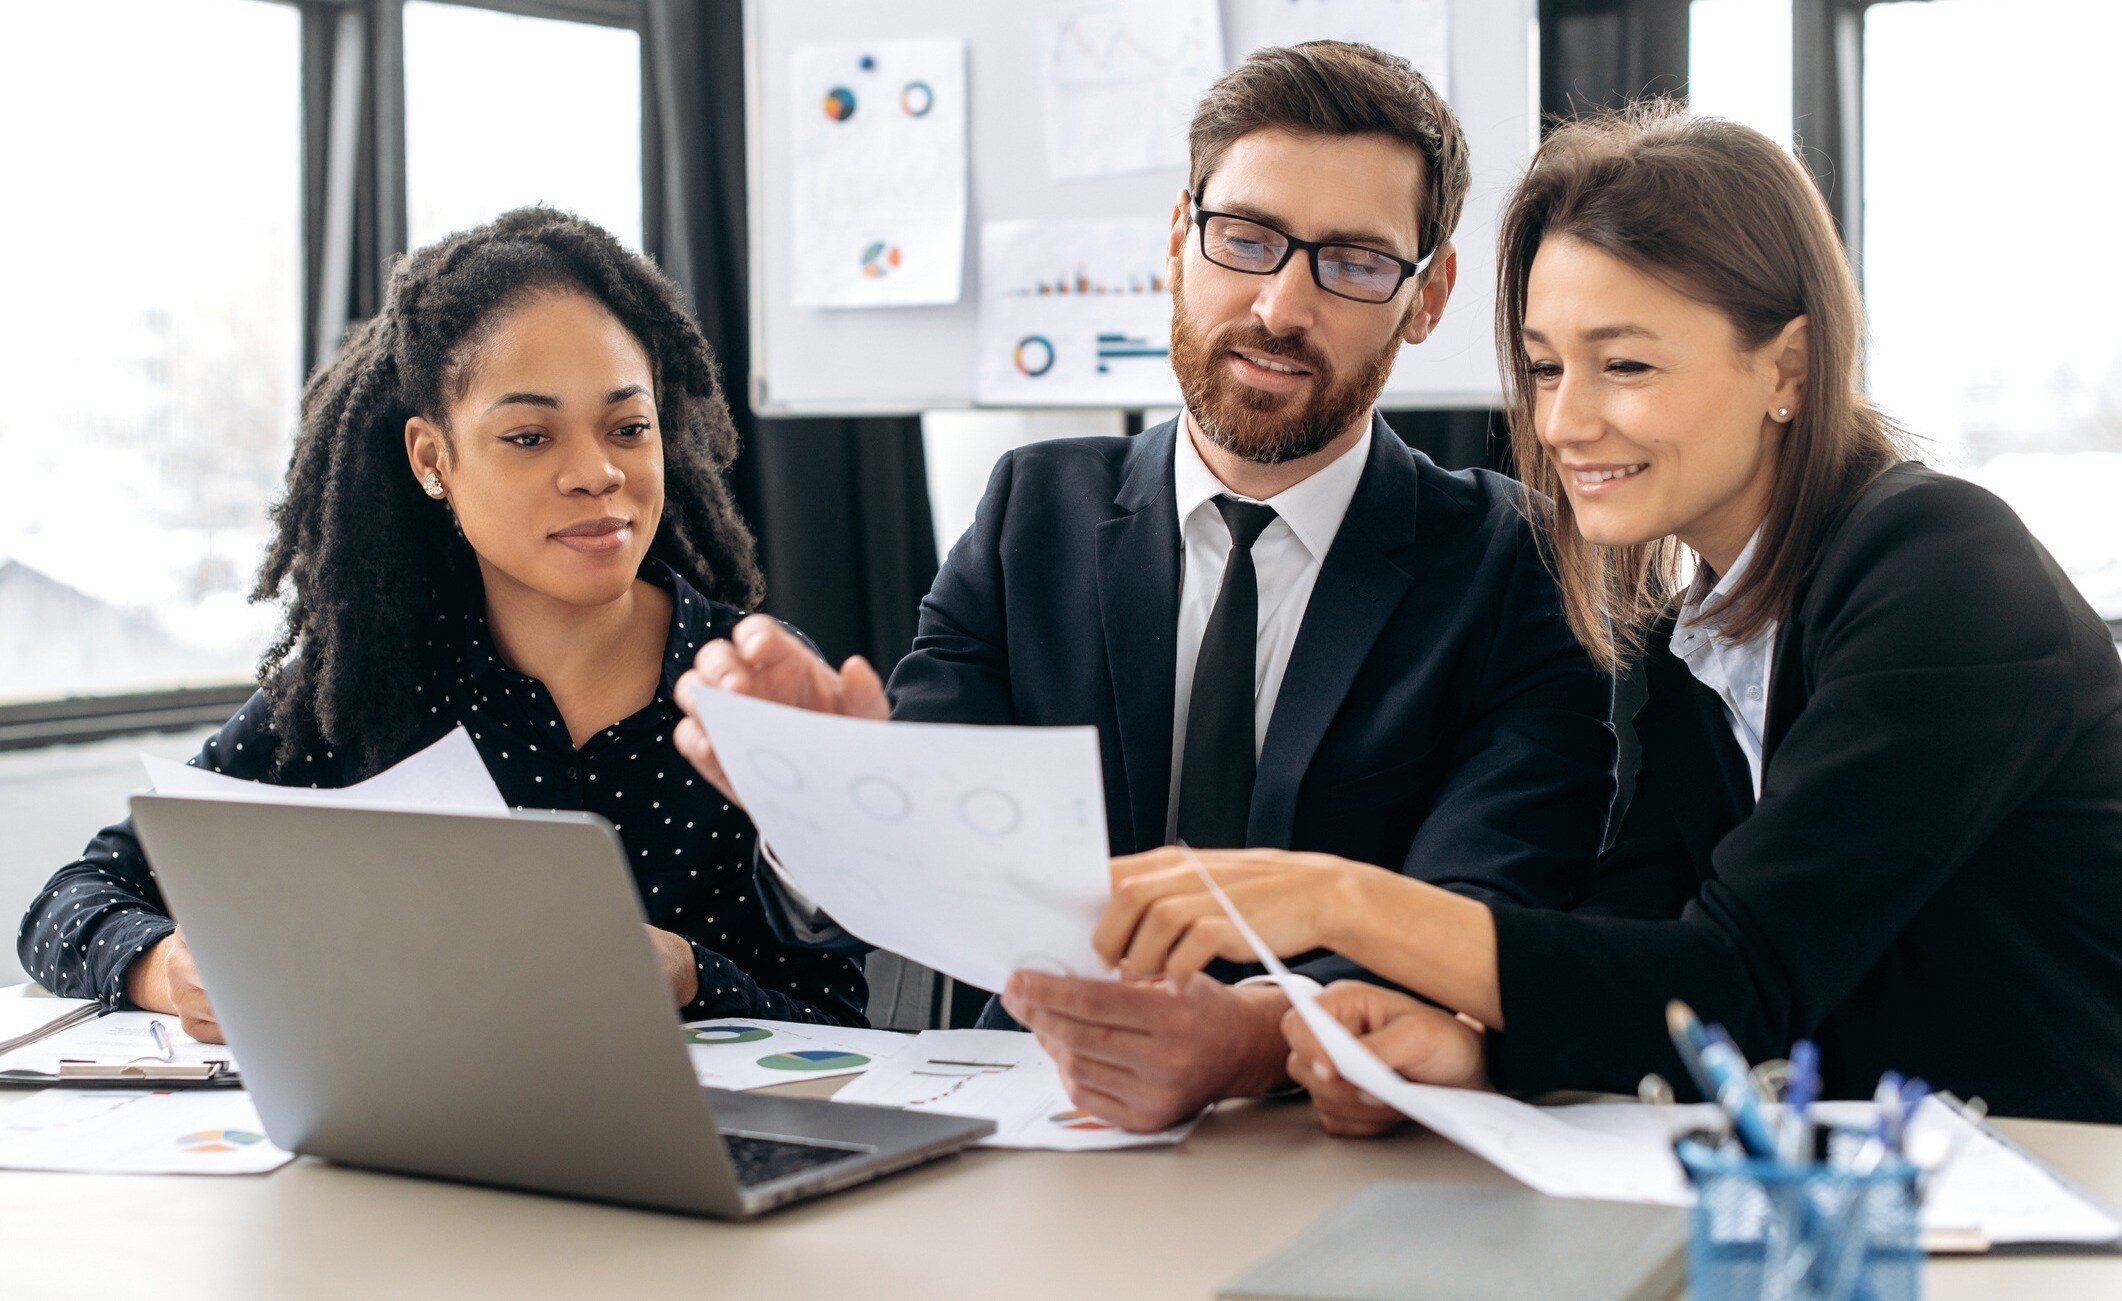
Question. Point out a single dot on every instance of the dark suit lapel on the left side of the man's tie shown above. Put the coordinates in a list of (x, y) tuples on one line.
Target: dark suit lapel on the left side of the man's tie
[(1138, 600)]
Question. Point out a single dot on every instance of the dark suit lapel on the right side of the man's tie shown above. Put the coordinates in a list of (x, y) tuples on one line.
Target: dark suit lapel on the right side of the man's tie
[(1361, 585)]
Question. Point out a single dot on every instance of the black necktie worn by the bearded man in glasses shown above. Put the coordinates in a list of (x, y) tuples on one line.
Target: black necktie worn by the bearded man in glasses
[(1217, 769)]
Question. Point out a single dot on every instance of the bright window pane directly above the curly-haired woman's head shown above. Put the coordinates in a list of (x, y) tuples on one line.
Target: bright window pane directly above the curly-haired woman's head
[(506, 111)]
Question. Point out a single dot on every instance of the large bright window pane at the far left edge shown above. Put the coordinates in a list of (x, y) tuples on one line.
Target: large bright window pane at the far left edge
[(152, 336)]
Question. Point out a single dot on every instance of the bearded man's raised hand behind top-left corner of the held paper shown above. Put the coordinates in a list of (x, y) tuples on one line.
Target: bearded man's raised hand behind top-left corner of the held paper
[(769, 663)]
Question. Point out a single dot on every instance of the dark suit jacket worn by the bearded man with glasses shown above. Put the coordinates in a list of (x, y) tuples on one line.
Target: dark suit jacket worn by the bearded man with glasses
[(1436, 716)]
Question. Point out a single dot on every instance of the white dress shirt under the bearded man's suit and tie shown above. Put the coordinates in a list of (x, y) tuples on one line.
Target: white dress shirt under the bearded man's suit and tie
[(1285, 559)]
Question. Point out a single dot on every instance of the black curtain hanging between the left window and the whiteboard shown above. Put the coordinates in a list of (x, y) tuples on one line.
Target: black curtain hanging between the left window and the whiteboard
[(839, 504)]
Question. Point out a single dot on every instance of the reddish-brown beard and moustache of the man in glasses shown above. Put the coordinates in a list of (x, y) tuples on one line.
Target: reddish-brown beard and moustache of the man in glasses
[(1268, 428)]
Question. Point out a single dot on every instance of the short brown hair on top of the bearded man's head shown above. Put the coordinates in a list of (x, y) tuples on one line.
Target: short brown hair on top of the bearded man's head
[(1338, 88)]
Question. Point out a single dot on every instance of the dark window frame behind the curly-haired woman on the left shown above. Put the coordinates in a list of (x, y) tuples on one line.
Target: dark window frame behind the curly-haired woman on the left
[(353, 75)]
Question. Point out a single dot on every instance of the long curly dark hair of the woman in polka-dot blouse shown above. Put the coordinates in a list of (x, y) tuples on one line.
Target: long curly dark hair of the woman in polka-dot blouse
[(372, 561)]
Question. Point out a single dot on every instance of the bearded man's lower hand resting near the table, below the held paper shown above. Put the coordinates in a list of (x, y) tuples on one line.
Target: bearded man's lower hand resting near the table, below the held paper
[(1151, 1056)]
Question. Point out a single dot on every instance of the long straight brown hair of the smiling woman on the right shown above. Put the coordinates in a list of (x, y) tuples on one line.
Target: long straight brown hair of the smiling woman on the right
[(1728, 218)]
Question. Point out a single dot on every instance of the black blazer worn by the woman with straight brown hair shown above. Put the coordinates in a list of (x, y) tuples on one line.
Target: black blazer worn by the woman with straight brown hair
[(1932, 880)]
